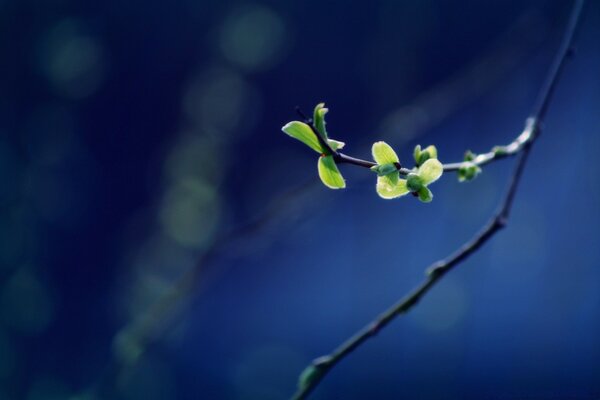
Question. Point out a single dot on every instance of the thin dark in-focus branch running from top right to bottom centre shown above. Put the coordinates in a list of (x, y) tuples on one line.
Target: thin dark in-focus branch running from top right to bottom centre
[(315, 372)]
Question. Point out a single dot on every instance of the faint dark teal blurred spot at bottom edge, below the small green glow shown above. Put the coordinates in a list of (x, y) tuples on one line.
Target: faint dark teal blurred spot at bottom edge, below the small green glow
[(149, 380)]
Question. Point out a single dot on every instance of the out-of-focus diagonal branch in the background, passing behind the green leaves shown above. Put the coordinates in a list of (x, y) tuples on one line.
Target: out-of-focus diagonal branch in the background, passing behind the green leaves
[(437, 103)]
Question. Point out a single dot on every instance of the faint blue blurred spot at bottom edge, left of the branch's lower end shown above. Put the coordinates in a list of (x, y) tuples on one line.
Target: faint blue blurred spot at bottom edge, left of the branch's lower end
[(267, 372)]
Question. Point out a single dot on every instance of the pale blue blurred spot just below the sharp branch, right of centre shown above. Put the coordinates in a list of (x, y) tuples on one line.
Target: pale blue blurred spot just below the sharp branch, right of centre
[(443, 308)]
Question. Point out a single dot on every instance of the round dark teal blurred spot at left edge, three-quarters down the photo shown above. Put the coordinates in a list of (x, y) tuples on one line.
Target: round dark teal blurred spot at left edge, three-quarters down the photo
[(25, 303)]
